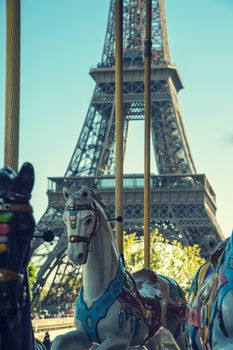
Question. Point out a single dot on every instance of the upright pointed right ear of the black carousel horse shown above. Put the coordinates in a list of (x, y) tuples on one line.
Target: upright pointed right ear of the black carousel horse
[(25, 177)]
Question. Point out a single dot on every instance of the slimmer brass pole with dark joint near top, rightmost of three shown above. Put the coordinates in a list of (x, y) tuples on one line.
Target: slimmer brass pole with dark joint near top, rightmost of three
[(147, 107)]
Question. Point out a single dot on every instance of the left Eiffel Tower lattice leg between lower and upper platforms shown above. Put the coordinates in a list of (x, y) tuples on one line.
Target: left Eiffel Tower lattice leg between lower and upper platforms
[(95, 142)]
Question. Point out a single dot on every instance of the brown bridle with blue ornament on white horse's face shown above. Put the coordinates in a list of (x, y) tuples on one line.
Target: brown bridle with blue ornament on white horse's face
[(73, 210)]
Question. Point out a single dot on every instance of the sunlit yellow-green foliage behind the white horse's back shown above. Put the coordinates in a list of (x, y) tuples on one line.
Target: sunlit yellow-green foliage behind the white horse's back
[(169, 259)]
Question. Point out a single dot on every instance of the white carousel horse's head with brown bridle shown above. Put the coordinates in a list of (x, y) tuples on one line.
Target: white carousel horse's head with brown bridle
[(81, 217)]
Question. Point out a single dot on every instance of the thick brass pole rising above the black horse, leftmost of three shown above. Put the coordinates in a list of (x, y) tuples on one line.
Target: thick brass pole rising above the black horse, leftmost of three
[(11, 148)]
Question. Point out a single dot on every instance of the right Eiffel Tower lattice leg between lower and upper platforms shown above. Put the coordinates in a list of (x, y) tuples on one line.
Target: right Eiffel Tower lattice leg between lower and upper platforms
[(170, 144)]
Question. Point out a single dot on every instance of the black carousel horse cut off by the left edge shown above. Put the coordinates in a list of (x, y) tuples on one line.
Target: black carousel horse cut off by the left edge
[(16, 232)]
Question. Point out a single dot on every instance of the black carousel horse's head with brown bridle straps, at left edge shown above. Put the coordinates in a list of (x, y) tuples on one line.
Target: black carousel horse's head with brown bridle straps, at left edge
[(16, 232)]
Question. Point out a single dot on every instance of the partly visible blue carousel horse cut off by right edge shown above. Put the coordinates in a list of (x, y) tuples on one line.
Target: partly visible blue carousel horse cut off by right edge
[(210, 304)]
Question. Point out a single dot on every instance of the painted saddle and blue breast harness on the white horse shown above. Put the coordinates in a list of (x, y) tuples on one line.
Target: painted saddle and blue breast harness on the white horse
[(143, 295)]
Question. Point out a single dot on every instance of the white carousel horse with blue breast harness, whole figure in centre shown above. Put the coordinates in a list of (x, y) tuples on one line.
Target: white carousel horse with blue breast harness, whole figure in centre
[(114, 309)]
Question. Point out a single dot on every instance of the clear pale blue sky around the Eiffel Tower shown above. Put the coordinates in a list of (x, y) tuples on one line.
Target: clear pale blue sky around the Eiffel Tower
[(62, 39)]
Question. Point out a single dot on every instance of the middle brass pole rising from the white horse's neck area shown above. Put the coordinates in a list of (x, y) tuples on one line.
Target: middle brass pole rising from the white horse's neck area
[(119, 121)]
